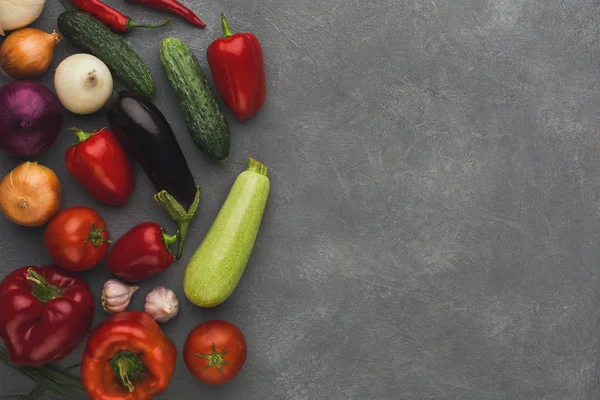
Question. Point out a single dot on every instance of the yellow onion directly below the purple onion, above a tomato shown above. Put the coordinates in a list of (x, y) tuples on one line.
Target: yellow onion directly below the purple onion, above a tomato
[(30, 195)]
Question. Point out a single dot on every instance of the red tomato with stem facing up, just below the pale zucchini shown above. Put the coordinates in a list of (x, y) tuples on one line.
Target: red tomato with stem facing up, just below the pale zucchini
[(215, 351)]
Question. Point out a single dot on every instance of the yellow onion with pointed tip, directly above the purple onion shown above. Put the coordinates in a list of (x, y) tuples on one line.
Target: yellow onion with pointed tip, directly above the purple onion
[(27, 53)]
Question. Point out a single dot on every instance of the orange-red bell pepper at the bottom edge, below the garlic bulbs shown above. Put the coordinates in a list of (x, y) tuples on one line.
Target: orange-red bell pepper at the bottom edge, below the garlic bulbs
[(127, 357)]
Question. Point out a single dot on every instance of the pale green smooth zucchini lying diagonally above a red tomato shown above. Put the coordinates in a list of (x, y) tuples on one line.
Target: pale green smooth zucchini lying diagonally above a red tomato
[(216, 268)]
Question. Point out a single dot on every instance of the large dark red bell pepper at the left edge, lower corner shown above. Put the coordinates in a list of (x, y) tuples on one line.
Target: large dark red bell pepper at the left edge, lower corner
[(46, 313)]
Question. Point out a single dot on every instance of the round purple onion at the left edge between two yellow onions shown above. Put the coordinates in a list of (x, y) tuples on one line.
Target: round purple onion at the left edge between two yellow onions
[(30, 118)]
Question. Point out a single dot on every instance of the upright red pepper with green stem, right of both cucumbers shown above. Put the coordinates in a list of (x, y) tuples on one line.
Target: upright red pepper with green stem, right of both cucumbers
[(237, 66)]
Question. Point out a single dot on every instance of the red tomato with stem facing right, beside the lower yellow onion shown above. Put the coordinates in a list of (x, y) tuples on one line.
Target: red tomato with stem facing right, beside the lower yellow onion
[(77, 239)]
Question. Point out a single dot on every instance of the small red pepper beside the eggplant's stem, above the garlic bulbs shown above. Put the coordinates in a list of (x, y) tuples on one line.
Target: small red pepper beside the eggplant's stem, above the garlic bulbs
[(142, 252)]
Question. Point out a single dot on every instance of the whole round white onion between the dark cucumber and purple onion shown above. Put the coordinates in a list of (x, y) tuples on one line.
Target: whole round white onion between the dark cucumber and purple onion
[(83, 83)]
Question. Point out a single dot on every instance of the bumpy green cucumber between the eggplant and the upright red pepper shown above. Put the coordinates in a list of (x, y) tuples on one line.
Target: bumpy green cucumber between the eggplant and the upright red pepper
[(206, 123)]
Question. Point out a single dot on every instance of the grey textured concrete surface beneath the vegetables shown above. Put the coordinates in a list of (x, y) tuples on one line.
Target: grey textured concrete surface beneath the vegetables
[(432, 231)]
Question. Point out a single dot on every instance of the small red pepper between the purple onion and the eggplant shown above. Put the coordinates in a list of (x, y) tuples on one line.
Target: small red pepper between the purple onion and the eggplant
[(99, 163)]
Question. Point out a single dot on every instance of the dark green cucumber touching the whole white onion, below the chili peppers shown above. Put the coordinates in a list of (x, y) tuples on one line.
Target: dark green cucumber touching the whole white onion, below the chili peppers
[(91, 35)]
